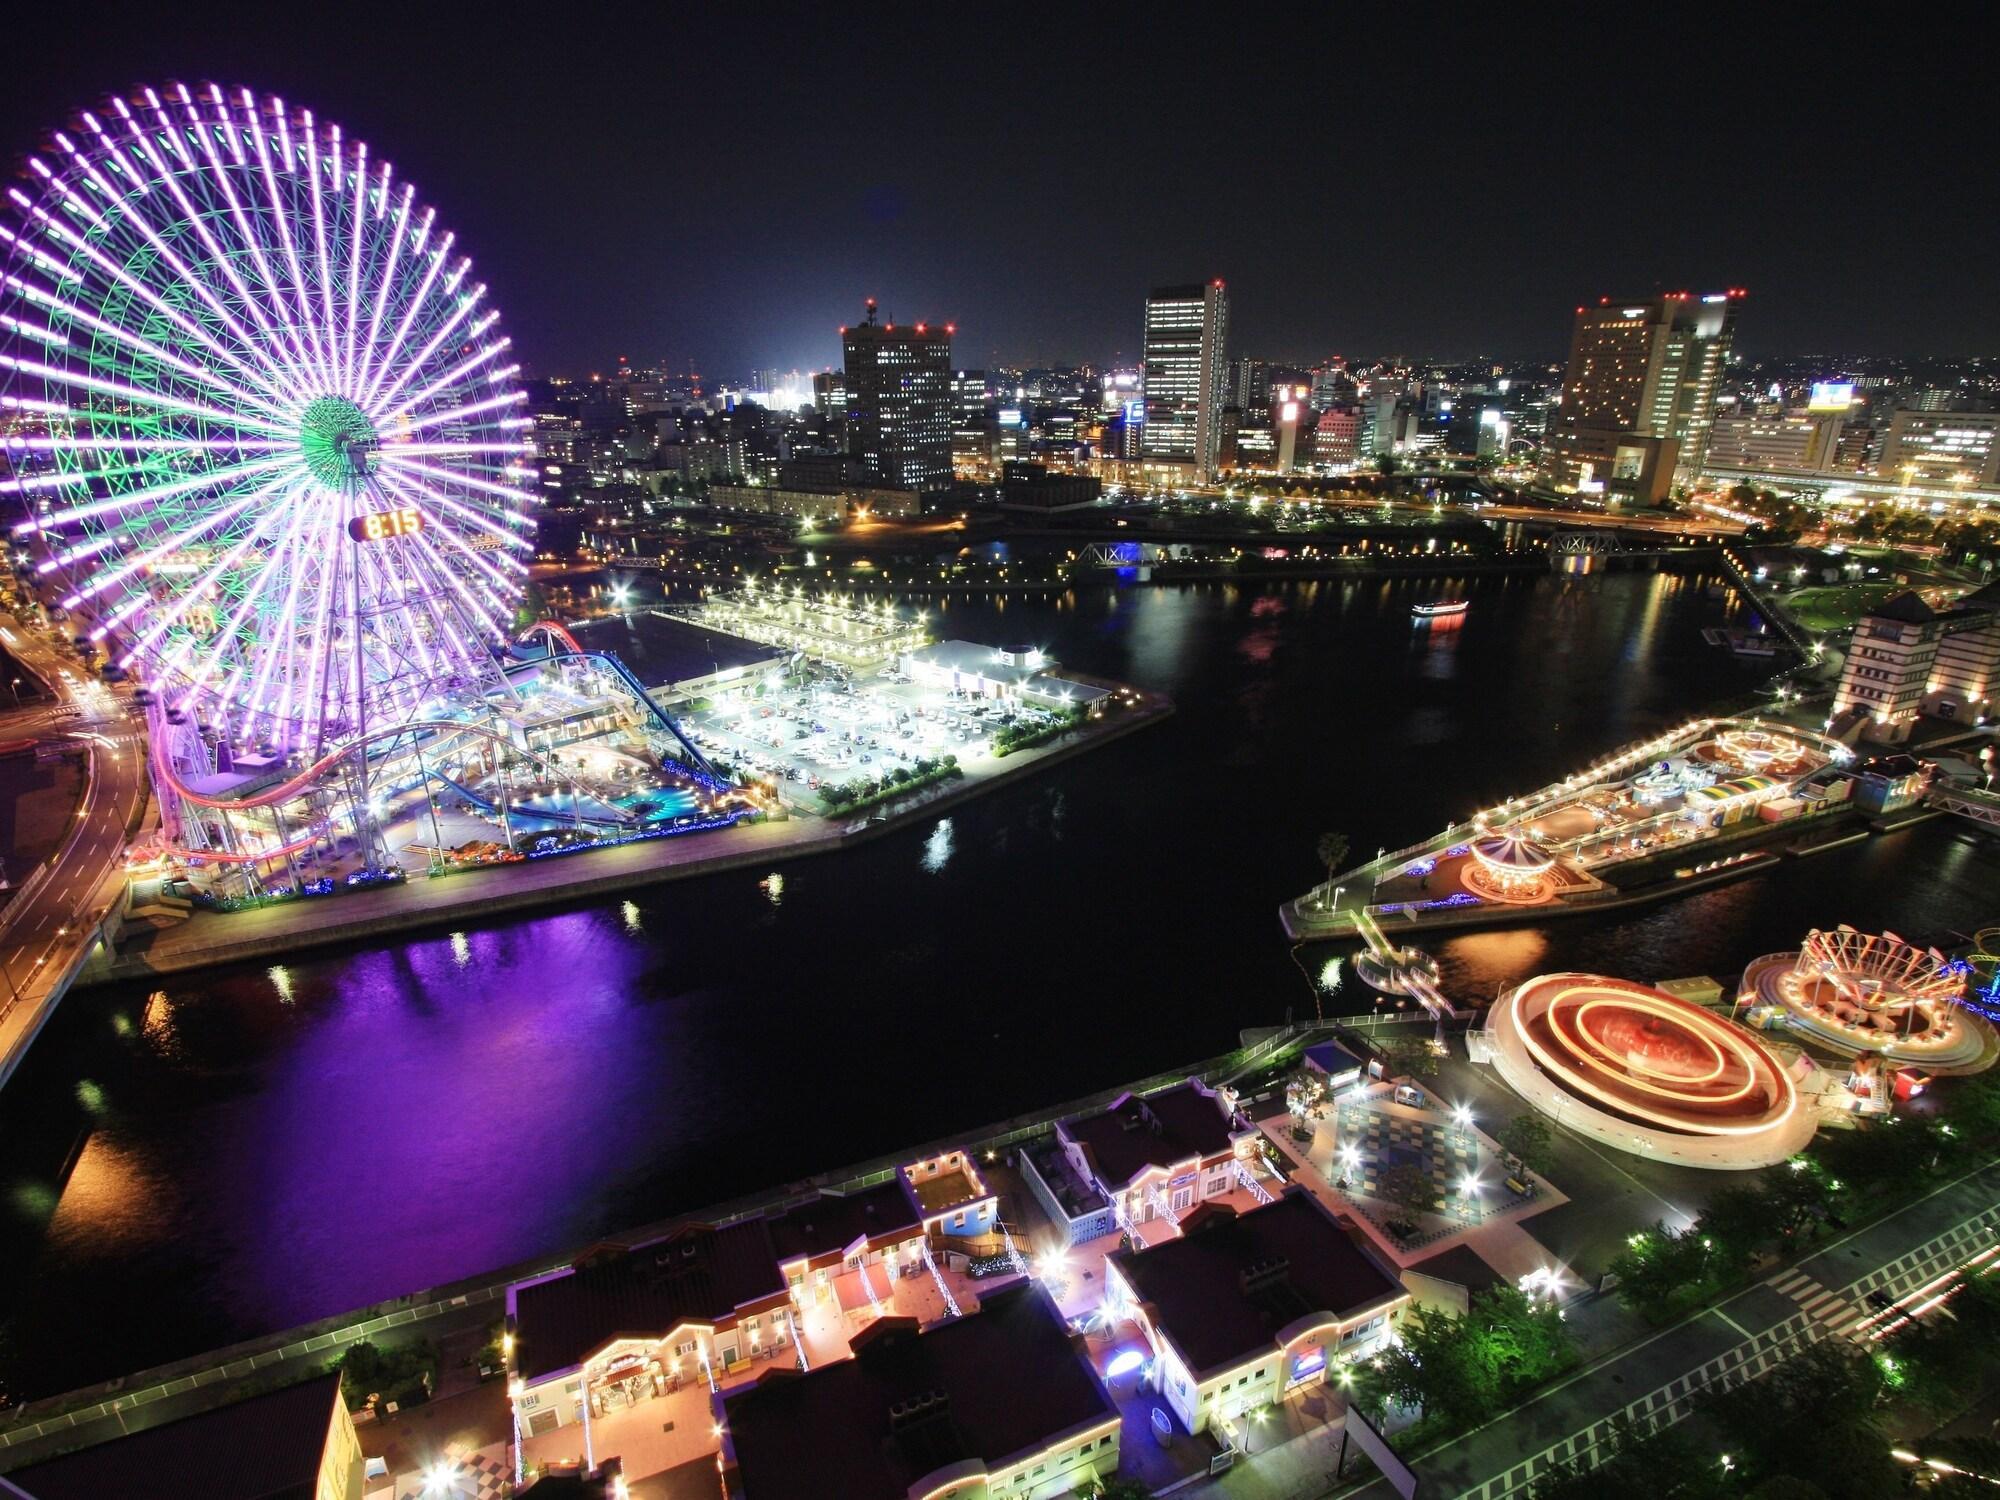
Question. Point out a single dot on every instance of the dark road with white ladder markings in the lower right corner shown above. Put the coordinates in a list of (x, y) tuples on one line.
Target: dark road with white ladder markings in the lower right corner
[(1659, 1379)]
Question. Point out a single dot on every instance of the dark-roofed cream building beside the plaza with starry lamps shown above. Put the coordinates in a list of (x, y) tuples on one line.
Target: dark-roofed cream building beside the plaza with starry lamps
[(1245, 1311)]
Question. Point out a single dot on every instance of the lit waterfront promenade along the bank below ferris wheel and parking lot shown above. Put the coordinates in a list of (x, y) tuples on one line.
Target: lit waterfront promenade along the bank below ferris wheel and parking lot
[(209, 939)]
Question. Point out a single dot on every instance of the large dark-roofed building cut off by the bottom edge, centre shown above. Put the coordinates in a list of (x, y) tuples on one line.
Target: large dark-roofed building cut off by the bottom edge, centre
[(995, 1405)]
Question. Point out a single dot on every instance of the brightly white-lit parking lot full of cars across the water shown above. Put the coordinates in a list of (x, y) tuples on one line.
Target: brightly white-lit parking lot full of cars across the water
[(831, 727)]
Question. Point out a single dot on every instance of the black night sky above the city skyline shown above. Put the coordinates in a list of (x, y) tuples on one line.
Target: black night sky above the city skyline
[(725, 185)]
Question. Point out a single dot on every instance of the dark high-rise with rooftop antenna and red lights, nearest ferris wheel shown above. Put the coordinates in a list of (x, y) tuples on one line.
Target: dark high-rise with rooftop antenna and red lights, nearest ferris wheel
[(901, 401)]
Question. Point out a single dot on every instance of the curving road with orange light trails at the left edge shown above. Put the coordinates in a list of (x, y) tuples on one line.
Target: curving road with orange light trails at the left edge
[(55, 917)]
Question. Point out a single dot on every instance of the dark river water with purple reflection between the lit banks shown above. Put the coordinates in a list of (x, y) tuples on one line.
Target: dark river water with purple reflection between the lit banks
[(259, 1149)]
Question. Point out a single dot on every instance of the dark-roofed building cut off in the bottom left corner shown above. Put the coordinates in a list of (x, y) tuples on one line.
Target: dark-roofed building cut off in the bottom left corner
[(287, 1445)]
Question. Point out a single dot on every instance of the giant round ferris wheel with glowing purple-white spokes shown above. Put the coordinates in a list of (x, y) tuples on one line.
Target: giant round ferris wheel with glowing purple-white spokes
[(263, 429)]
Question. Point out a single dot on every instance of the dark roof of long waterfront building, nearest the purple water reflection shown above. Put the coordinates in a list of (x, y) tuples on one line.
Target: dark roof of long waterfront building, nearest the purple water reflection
[(695, 1275)]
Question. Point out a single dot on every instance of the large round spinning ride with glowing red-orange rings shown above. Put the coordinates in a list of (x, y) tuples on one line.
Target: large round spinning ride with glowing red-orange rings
[(1647, 1073)]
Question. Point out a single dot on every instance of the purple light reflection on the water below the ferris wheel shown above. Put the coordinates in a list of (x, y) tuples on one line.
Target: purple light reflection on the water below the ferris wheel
[(441, 1077)]
